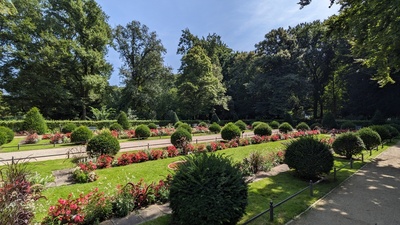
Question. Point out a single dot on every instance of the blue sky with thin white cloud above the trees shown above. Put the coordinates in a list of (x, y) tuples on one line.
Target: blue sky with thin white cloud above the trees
[(240, 23)]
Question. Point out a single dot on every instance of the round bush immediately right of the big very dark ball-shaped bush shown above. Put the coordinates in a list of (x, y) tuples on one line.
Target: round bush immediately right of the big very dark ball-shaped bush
[(348, 144)]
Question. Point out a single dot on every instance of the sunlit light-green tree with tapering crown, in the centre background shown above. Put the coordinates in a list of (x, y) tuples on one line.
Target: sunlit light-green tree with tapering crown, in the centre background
[(199, 87)]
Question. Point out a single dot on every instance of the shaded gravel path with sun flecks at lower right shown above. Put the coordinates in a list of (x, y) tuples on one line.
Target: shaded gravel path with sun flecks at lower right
[(371, 196)]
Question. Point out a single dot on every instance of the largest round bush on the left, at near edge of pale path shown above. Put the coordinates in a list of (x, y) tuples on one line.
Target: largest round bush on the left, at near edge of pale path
[(103, 144)]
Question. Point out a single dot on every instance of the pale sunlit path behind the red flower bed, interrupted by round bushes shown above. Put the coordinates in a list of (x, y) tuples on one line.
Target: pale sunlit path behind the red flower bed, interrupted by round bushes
[(62, 153)]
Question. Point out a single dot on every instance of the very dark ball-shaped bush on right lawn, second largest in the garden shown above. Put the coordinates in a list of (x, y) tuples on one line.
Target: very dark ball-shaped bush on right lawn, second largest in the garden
[(309, 157)]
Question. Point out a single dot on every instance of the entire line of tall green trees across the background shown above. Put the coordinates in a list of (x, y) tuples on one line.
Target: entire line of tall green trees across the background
[(52, 56)]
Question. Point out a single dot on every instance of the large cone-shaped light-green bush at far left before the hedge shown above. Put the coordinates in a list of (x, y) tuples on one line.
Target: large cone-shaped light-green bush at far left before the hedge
[(34, 122)]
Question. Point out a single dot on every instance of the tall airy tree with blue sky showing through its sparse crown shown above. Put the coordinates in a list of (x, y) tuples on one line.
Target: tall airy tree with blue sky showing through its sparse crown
[(143, 70)]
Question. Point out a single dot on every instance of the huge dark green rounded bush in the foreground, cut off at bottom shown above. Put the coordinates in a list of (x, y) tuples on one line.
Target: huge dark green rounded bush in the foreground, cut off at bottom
[(211, 182)]
